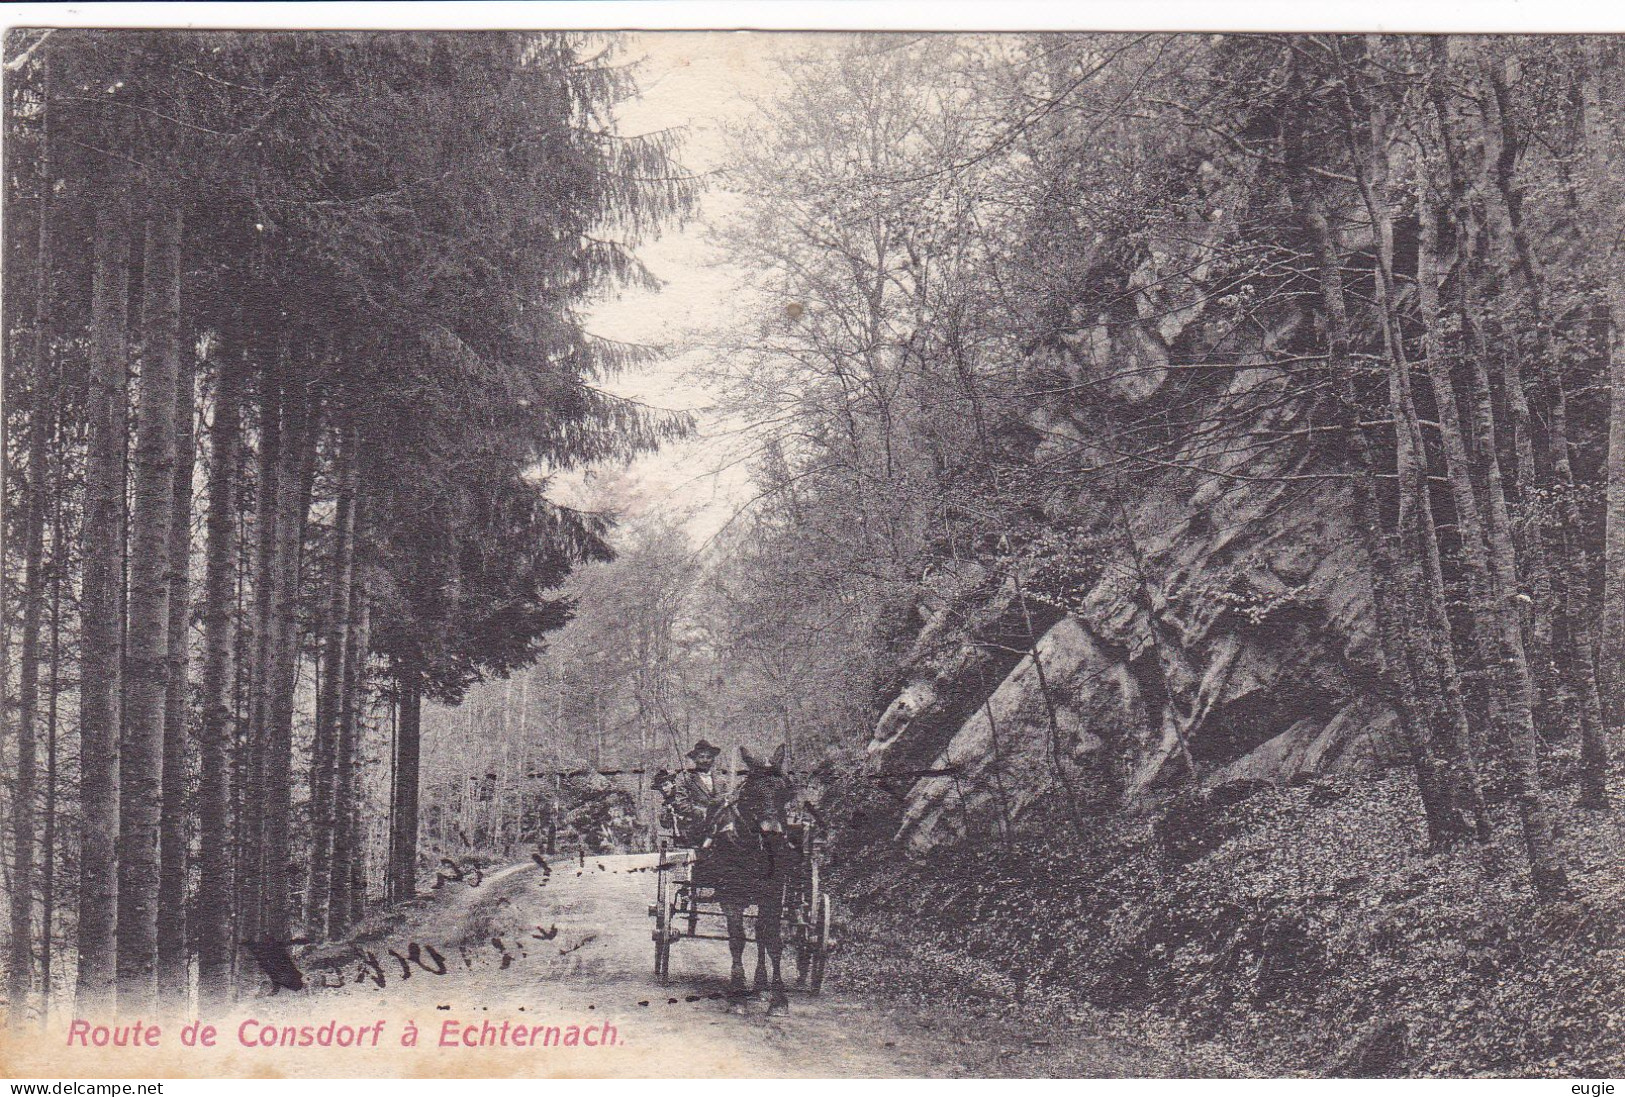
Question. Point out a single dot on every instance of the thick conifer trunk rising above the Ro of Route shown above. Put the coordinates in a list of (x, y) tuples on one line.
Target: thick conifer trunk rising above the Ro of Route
[(102, 615)]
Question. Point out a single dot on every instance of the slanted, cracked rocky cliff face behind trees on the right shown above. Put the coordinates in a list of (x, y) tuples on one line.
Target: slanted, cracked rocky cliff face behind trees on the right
[(1229, 631)]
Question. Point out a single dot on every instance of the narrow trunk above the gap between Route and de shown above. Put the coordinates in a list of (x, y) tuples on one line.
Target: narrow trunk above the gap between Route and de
[(173, 953)]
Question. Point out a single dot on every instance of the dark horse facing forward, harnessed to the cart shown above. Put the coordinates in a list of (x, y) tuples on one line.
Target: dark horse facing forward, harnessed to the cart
[(748, 864)]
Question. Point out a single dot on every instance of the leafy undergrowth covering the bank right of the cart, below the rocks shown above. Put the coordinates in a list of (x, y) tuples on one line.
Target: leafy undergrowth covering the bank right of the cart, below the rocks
[(1304, 929)]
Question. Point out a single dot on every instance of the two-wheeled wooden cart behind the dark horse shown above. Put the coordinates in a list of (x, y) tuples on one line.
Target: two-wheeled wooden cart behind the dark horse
[(687, 908)]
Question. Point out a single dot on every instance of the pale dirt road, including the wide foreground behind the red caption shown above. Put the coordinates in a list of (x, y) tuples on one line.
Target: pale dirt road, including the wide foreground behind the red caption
[(550, 973)]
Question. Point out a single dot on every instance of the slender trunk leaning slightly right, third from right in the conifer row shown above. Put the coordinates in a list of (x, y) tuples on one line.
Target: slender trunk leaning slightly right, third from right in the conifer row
[(326, 748)]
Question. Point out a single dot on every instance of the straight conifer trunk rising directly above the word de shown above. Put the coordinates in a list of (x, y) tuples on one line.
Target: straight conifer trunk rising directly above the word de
[(212, 921)]
